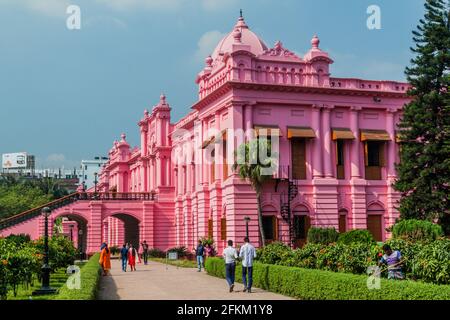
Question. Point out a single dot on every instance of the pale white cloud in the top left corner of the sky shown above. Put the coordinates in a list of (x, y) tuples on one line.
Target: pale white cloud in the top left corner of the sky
[(54, 8)]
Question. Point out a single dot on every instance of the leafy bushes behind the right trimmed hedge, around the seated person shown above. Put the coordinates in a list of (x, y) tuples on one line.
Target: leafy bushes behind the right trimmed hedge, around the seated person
[(429, 262)]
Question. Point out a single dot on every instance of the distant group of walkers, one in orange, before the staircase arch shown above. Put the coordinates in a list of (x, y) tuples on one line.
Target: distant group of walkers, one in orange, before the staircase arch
[(128, 255)]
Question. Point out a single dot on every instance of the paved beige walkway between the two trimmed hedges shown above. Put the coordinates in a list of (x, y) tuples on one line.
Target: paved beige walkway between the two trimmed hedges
[(157, 281)]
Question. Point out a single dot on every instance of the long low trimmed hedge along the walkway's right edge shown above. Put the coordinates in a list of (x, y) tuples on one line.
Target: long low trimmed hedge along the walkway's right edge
[(325, 285)]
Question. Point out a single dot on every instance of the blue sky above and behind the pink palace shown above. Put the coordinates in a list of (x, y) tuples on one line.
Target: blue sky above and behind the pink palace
[(65, 95)]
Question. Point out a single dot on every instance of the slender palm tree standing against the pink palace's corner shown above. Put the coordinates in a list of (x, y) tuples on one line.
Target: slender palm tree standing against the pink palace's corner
[(250, 167)]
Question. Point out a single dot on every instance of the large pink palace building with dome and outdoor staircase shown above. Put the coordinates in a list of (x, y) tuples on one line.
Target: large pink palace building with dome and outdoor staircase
[(337, 149)]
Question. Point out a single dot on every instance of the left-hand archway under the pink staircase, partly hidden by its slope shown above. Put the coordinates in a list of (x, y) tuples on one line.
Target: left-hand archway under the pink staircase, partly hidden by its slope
[(74, 227)]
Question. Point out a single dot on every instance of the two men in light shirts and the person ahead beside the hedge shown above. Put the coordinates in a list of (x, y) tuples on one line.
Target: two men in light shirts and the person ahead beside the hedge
[(247, 253)]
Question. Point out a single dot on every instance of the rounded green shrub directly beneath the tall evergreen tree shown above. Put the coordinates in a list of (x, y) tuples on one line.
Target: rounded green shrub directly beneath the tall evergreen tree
[(416, 230)]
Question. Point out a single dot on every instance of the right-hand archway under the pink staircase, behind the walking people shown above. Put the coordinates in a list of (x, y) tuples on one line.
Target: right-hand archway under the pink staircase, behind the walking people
[(121, 228)]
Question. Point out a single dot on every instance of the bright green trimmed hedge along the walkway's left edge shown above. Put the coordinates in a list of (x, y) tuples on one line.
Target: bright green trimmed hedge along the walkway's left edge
[(90, 278)]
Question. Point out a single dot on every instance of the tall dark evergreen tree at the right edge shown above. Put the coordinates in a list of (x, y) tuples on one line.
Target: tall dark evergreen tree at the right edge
[(424, 168)]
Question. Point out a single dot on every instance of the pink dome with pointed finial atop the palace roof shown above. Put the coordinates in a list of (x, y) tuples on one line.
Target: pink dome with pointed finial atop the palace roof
[(247, 37)]
